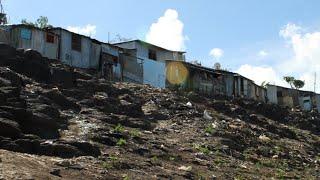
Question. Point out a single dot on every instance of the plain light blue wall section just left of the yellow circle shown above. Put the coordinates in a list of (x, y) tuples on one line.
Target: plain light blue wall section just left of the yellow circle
[(154, 73)]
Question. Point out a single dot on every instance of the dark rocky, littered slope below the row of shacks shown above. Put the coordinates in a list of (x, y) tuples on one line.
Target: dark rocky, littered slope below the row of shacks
[(57, 122)]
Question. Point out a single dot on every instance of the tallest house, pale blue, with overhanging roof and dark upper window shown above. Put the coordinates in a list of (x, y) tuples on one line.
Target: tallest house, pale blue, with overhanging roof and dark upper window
[(145, 63)]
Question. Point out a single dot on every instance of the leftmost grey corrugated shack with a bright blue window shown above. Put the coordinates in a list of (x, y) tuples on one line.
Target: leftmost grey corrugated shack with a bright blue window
[(30, 37)]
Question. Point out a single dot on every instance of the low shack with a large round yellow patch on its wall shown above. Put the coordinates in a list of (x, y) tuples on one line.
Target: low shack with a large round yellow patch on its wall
[(192, 77)]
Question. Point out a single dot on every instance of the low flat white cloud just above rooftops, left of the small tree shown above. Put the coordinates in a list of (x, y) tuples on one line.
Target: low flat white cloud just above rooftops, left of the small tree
[(260, 74)]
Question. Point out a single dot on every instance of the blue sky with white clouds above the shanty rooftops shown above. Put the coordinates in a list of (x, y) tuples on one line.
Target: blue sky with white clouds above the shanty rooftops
[(263, 40)]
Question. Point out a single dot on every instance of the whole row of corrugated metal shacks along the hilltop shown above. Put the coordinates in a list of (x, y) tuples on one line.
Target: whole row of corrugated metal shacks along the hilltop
[(143, 63)]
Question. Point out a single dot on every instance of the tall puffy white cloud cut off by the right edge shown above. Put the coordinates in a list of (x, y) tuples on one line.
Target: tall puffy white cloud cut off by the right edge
[(305, 59)]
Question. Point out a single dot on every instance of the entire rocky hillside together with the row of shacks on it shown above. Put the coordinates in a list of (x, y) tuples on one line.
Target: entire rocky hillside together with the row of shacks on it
[(72, 107)]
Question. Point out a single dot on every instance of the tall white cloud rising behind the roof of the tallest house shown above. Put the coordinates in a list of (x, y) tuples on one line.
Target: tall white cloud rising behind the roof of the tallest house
[(167, 32)]
